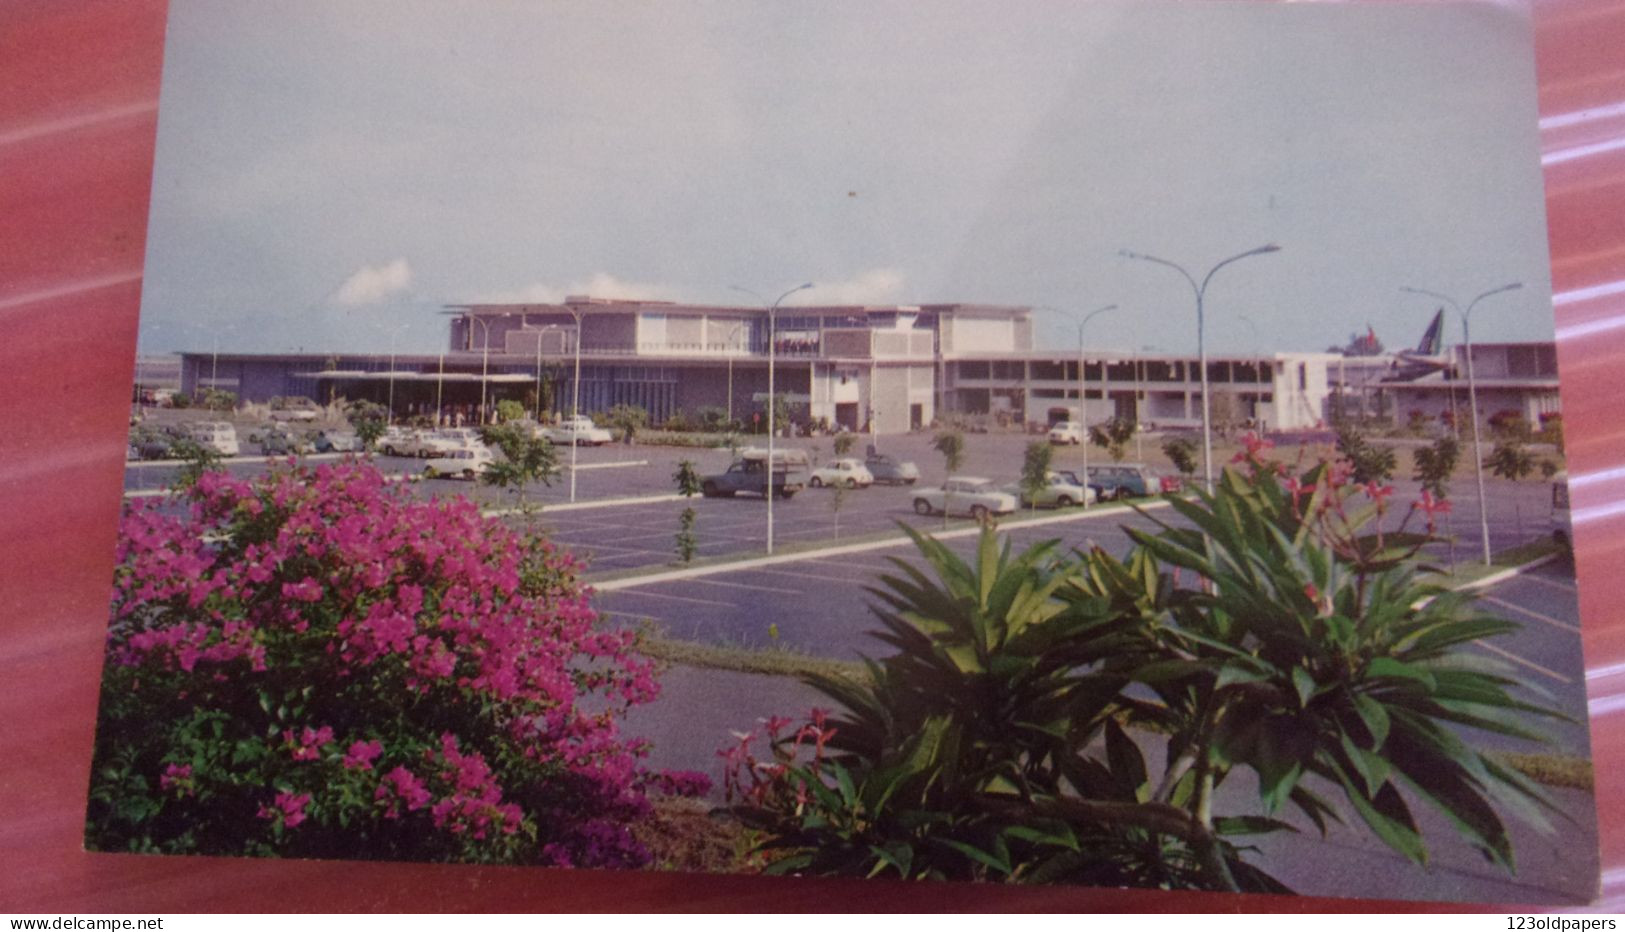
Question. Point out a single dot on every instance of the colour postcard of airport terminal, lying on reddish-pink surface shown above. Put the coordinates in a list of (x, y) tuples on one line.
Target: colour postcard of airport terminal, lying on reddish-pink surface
[(1103, 446)]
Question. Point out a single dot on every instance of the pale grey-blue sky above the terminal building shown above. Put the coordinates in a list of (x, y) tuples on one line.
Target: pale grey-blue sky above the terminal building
[(331, 176)]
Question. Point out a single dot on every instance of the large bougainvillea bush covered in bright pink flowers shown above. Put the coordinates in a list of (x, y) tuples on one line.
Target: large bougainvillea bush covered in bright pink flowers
[(316, 665)]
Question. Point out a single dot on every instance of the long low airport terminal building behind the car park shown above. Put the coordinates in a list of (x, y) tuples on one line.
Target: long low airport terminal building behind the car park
[(893, 368)]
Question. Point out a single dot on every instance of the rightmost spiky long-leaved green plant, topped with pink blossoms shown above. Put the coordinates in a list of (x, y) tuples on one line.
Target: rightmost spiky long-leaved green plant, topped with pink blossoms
[(1319, 650)]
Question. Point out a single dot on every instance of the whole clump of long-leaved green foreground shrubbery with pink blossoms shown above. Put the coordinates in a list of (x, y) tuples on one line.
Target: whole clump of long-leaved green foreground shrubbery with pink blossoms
[(994, 743)]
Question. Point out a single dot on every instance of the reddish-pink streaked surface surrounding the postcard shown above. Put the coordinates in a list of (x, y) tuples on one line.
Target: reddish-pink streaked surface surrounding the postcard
[(77, 127)]
